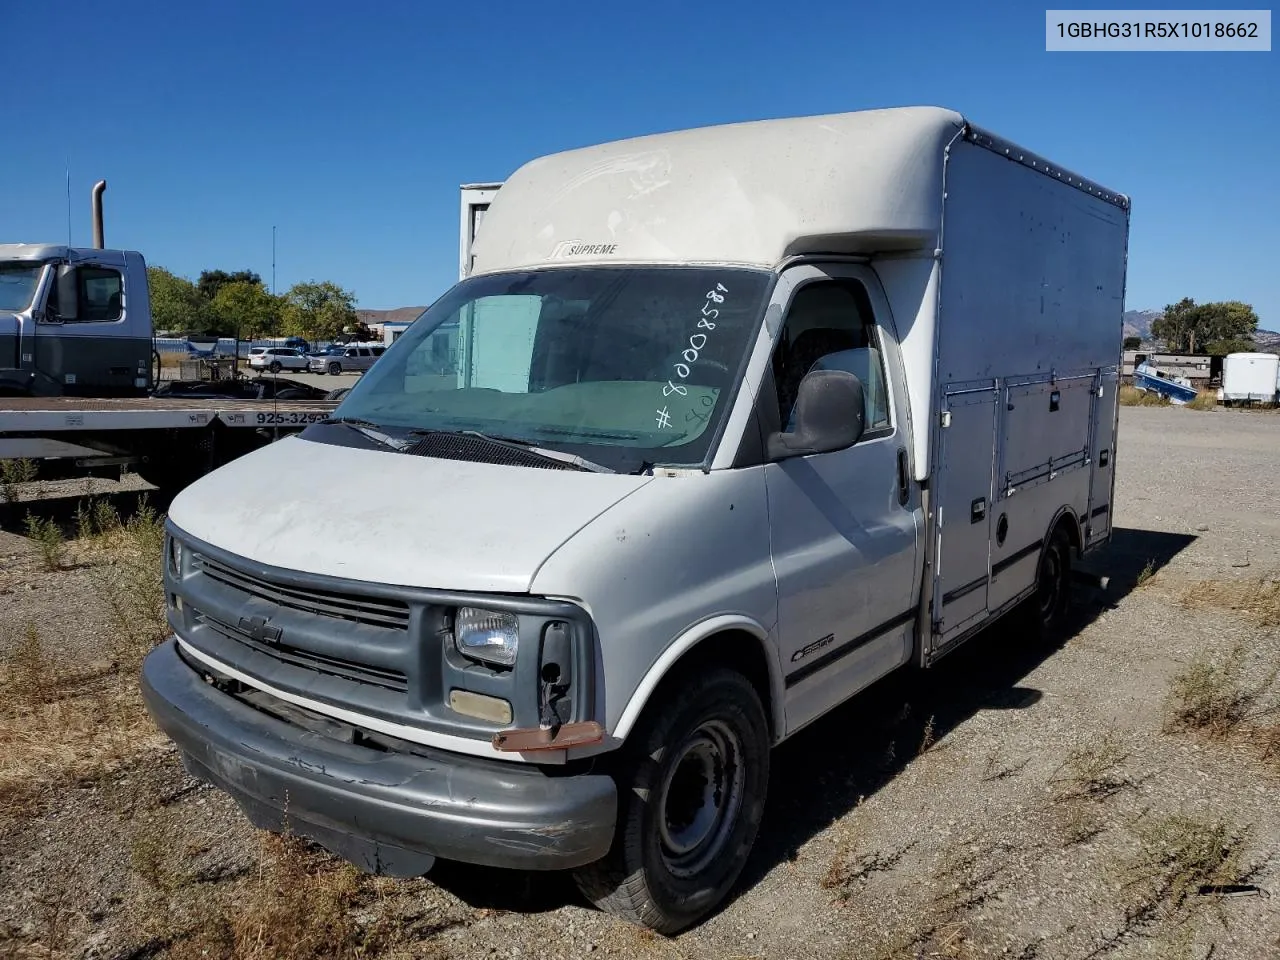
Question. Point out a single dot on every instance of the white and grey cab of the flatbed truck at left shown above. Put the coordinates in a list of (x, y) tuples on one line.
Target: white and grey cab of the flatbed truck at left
[(74, 322)]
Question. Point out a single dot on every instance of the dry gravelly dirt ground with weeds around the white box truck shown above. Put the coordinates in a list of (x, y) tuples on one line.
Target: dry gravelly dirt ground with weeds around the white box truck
[(1110, 796)]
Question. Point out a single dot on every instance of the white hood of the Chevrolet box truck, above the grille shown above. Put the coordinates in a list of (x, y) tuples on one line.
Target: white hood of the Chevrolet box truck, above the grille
[(395, 519)]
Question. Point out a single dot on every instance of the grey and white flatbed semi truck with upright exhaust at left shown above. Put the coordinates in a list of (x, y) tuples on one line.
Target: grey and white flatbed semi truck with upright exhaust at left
[(77, 381)]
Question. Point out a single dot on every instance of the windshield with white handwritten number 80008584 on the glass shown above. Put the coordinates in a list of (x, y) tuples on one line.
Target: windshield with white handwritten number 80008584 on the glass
[(620, 365)]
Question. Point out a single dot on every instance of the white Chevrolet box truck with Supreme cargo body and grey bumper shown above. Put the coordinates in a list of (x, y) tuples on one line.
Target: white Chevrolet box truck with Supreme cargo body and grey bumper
[(739, 420)]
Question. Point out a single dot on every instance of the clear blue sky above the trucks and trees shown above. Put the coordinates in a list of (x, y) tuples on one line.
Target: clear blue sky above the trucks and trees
[(351, 126)]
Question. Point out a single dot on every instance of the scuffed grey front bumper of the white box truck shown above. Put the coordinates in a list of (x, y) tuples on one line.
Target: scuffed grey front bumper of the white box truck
[(386, 812)]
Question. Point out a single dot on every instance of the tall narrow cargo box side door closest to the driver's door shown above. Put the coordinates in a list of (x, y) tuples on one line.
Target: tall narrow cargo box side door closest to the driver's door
[(967, 452)]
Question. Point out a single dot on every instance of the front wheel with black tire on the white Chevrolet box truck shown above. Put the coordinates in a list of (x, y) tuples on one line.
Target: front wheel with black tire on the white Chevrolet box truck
[(671, 865)]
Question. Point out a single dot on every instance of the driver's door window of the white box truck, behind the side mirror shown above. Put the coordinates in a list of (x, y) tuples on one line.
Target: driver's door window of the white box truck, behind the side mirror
[(831, 326)]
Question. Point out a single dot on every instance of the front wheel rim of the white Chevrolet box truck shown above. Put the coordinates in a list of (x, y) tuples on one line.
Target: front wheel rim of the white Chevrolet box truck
[(702, 797)]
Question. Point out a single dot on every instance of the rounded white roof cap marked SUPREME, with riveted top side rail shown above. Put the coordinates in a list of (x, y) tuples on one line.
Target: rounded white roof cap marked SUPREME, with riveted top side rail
[(748, 193)]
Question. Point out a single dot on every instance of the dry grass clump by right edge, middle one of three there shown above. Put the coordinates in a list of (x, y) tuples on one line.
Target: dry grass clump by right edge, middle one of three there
[(1215, 697)]
